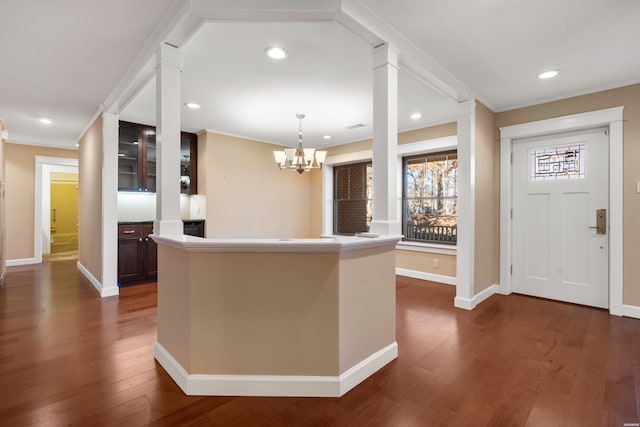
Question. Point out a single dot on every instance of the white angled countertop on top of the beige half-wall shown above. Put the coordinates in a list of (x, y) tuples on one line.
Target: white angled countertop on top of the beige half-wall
[(322, 244)]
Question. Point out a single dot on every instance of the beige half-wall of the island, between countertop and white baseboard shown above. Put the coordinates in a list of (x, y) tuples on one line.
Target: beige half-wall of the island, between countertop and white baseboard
[(217, 310)]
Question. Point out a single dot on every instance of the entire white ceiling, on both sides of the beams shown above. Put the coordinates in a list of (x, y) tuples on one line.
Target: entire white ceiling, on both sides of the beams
[(62, 60)]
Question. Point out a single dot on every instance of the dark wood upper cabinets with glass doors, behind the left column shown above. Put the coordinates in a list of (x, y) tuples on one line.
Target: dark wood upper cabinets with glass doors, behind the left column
[(137, 159)]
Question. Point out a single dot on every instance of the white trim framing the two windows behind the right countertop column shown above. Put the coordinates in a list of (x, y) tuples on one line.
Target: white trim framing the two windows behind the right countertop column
[(421, 147)]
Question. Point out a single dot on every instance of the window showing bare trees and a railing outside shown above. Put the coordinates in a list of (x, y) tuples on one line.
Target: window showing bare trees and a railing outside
[(430, 197)]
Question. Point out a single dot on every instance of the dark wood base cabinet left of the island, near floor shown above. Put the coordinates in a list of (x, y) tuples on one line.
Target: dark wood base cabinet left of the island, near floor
[(137, 254)]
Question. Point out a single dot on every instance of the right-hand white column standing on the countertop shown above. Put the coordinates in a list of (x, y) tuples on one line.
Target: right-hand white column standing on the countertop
[(385, 141)]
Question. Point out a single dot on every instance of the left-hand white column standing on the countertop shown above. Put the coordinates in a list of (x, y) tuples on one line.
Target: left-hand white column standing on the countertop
[(168, 223)]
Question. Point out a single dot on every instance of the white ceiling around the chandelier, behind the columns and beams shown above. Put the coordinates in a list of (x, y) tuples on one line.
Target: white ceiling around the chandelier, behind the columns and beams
[(326, 76)]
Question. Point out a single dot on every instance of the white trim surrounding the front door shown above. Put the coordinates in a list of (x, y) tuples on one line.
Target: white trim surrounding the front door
[(611, 117)]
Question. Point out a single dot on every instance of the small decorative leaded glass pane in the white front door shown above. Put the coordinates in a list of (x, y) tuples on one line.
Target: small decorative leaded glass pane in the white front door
[(553, 163)]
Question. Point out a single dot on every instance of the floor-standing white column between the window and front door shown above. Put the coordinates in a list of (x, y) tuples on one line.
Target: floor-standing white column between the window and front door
[(465, 264)]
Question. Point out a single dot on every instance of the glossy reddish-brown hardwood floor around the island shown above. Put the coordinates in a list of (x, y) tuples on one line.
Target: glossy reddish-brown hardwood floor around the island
[(68, 357)]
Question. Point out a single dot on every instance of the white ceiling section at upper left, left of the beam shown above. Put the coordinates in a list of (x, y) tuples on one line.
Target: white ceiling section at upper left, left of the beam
[(61, 59)]
